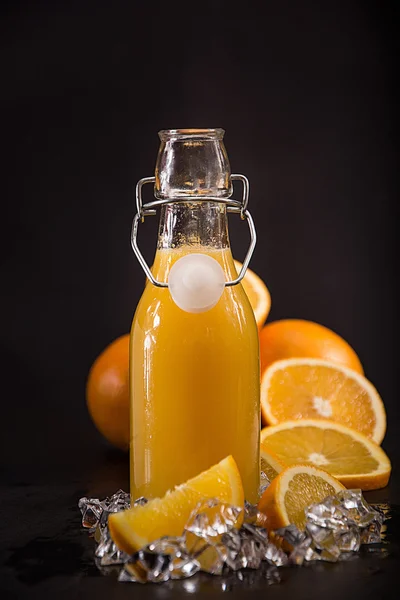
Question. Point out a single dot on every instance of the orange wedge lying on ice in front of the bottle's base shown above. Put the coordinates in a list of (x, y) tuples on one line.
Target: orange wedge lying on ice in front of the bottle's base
[(138, 526)]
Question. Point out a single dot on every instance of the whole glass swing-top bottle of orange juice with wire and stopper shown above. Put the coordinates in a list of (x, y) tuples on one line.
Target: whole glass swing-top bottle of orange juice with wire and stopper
[(194, 358)]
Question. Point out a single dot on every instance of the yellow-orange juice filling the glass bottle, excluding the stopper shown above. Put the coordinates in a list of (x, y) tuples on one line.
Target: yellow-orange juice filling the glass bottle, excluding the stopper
[(194, 384)]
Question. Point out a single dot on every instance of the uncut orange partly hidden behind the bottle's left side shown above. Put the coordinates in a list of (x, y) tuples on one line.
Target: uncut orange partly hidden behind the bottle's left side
[(107, 392)]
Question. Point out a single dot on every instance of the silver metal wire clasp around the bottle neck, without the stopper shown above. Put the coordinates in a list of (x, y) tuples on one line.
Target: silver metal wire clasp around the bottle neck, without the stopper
[(232, 206)]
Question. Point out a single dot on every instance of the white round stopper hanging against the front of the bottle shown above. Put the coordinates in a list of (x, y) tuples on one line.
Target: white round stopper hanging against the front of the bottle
[(196, 282)]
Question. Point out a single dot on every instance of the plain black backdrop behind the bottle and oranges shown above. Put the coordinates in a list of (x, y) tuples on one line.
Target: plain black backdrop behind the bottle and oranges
[(306, 94)]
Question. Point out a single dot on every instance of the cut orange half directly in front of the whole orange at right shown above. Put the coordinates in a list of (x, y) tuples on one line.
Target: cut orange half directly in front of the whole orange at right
[(301, 388)]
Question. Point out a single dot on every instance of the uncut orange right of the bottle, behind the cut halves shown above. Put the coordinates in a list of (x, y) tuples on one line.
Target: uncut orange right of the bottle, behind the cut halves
[(292, 338)]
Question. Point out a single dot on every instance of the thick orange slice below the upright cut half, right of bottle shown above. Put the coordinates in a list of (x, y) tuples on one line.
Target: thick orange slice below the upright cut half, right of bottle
[(345, 453)]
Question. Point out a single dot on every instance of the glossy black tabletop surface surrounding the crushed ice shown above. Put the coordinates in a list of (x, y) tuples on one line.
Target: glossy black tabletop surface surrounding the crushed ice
[(46, 553)]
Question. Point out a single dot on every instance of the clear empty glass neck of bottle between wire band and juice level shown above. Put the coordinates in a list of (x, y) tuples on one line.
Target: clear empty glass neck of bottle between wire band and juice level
[(193, 224)]
